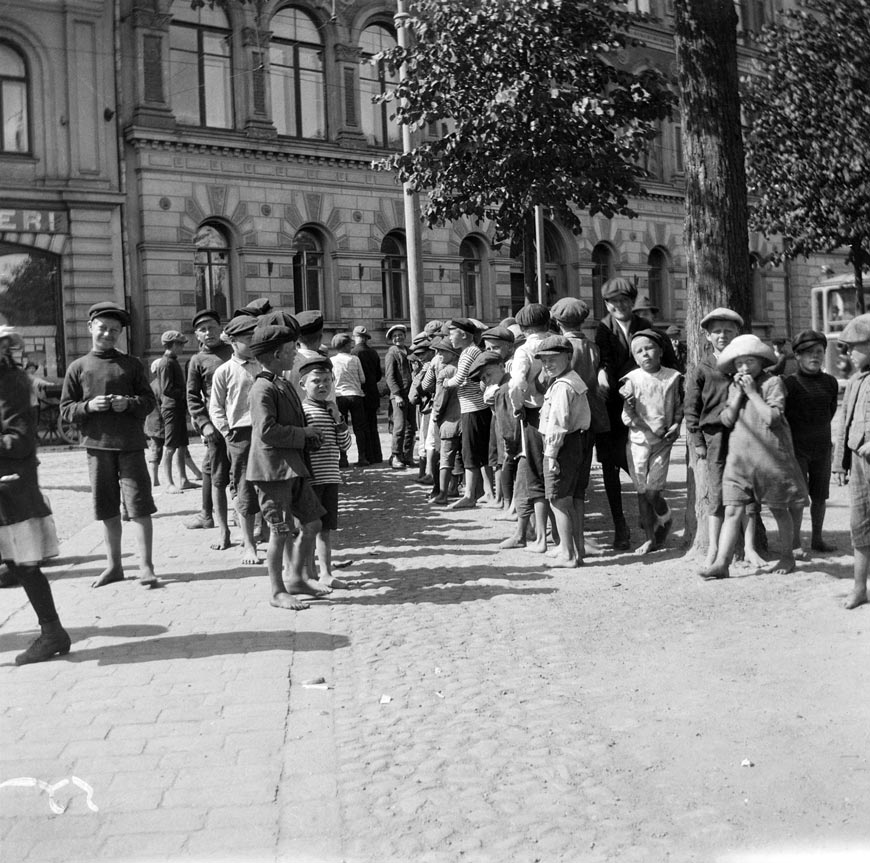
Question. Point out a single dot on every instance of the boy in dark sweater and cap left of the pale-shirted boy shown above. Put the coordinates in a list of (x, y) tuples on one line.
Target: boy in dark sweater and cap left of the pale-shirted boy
[(213, 352)]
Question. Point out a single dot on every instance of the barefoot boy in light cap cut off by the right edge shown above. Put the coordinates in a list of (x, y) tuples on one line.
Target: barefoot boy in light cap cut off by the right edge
[(853, 450)]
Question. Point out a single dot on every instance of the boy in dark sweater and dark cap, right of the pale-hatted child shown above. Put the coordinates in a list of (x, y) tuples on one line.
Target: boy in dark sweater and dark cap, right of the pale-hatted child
[(810, 405)]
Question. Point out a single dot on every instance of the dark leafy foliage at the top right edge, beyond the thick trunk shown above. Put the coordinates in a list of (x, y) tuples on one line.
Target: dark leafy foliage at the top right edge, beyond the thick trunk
[(808, 162)]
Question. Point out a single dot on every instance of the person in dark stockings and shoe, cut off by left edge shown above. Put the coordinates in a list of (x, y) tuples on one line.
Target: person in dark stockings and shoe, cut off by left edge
[(27, 533)]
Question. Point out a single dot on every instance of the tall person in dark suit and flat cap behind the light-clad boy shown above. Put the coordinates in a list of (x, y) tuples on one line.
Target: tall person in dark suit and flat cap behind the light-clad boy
[(613, 337)]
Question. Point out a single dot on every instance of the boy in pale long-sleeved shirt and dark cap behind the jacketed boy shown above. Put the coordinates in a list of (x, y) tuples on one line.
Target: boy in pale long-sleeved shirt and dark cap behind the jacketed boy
[(230, 411)]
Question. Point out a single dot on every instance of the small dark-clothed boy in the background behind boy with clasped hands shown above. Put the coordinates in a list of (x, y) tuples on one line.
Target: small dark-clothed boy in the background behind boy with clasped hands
[(172, 401)]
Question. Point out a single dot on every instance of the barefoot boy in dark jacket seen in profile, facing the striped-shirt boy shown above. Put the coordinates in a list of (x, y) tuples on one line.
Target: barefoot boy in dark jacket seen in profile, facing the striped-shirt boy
[(276, 464)]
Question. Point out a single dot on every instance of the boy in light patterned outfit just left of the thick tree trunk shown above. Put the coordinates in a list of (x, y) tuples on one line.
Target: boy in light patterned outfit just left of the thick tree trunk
[(653, 411)]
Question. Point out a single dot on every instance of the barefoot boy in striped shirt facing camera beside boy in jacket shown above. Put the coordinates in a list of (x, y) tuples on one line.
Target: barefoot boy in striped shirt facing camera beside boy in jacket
[(316, 379)]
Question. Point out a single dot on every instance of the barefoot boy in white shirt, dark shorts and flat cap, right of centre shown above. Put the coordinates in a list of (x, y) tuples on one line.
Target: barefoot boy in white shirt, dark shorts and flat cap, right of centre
[(565, 417)]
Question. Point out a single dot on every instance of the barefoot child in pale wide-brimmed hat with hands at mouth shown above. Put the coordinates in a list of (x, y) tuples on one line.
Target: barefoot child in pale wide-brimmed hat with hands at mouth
[(761, 465)]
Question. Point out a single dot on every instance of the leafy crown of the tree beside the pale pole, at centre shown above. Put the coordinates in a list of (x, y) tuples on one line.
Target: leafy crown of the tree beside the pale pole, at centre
[(537, 109)]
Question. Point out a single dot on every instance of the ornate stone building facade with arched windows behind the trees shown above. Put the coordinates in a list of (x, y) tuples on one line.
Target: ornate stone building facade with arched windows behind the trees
[(186, 158)]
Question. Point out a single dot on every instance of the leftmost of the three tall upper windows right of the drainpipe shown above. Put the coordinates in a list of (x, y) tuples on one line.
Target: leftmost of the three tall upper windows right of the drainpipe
[(200, 66)]
